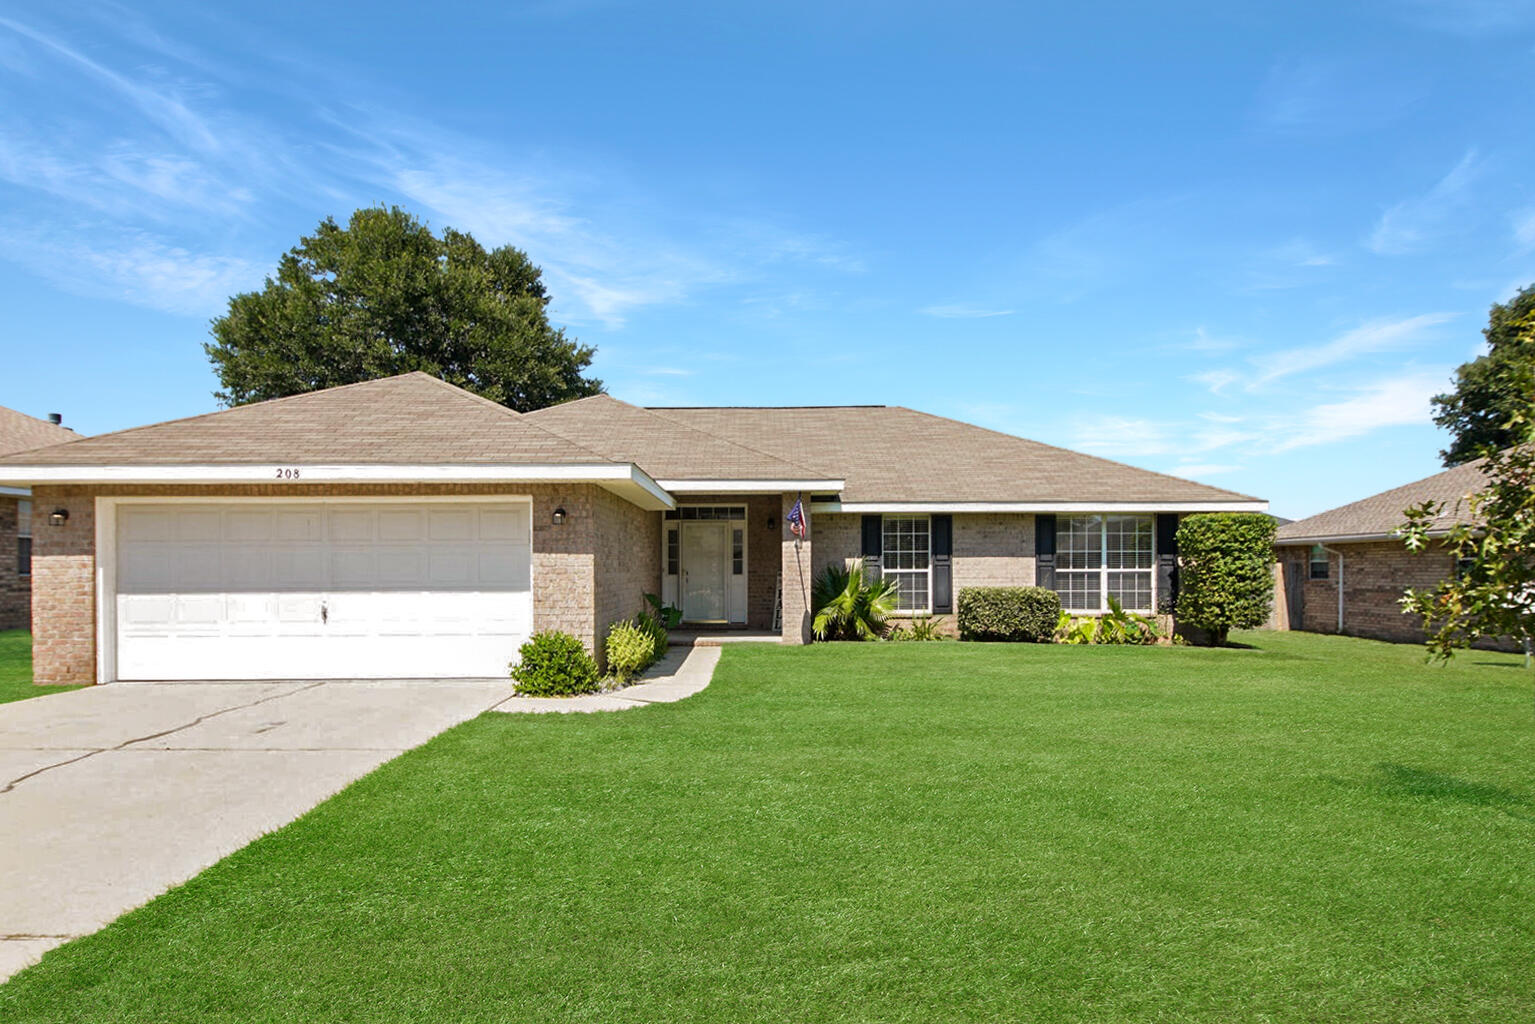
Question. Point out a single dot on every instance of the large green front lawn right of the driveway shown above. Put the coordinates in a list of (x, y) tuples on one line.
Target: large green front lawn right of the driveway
[(1316, 830)]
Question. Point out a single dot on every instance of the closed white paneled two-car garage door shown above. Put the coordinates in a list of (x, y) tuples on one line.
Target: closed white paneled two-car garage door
[(322, 590)]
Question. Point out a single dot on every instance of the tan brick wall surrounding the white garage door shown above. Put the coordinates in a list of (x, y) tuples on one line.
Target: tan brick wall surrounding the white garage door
[(584, 570)]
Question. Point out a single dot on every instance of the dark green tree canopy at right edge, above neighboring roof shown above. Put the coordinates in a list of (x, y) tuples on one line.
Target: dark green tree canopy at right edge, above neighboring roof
[(1494, 394)]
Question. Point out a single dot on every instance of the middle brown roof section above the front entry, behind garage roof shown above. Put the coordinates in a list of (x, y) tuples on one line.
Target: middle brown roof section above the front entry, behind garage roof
[(672, 452)]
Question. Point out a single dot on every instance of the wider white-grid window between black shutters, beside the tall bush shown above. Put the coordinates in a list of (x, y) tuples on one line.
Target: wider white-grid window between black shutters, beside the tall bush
[(1106, 557)]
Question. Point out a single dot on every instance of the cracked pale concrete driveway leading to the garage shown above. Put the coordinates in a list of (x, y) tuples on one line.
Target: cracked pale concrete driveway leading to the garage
[(113, 794)]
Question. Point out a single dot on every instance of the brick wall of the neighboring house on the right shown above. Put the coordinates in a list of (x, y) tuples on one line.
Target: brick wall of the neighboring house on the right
[(1375, 578)]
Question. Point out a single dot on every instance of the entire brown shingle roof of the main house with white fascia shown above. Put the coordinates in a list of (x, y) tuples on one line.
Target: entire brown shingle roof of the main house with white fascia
[(415, 428)]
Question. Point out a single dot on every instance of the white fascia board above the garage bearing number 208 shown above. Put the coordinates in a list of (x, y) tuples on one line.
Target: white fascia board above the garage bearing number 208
[(622, 478)]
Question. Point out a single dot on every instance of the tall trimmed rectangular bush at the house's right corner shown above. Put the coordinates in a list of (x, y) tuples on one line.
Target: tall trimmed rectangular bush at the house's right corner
[(1226, 572)]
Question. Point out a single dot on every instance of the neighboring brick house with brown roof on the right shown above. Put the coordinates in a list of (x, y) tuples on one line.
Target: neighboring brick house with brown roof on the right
[(1345, 570)]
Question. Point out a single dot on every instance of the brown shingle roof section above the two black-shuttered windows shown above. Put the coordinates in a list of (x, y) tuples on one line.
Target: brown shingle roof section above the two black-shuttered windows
[(896, 455)]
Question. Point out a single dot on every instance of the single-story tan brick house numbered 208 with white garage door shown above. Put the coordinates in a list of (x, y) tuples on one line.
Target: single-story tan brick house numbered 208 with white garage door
[(408, 529)]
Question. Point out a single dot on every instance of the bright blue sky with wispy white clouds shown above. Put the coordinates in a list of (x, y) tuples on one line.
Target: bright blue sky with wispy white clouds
[(1230, 243)]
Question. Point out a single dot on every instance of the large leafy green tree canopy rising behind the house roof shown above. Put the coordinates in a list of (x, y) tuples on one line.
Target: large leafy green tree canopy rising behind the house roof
[(385, 296)]
